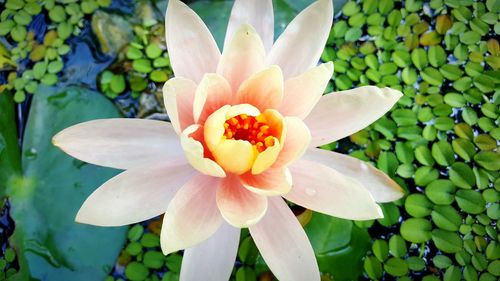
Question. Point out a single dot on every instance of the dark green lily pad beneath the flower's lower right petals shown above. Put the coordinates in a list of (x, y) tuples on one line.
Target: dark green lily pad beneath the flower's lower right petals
[(339, 246)]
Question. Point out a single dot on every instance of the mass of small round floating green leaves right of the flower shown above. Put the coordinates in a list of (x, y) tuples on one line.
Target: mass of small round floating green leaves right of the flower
[(446, 50)]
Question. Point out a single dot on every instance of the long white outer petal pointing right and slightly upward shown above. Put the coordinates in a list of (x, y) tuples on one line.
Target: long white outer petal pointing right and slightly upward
[(341, 114)]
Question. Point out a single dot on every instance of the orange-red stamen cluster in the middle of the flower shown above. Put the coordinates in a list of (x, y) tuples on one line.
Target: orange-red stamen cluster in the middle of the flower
[(252, 129)]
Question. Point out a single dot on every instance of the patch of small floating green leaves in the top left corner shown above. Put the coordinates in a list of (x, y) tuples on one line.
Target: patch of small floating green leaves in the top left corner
[(14, 22)]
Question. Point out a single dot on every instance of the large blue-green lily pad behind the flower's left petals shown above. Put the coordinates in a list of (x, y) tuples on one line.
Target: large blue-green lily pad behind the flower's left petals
[(45, 200)]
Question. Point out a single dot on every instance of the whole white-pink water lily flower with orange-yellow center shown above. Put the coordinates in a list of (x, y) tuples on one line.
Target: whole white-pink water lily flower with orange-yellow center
[(245, 127)]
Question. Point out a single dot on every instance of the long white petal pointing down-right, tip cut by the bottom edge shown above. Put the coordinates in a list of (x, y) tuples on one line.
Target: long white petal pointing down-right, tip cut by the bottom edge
[(284, 245)]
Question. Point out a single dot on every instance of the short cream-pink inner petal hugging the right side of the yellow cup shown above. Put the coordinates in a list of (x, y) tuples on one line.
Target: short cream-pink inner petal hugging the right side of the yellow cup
[(297, 140)]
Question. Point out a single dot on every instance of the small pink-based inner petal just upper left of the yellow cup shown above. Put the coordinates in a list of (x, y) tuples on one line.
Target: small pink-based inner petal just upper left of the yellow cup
[(212, 93)]
